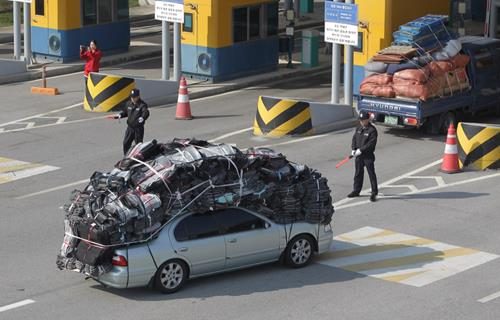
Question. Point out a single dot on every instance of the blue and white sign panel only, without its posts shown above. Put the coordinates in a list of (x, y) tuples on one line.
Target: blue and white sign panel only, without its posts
[(341, 23)]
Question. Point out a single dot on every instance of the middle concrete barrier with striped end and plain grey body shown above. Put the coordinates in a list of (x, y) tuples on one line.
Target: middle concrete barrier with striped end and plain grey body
[(279, 117)]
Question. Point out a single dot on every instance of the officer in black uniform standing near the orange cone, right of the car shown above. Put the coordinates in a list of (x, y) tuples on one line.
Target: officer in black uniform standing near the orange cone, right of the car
[(363, 148)]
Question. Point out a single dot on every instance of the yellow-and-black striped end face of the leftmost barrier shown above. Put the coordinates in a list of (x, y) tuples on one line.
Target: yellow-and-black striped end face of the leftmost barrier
[(105, 93)]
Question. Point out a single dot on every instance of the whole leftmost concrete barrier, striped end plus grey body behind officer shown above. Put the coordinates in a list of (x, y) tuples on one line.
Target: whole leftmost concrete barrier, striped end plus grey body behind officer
[(104, 93)]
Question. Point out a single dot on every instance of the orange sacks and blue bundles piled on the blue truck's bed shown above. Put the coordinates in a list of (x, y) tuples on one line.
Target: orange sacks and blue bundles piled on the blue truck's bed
[(418, 71)]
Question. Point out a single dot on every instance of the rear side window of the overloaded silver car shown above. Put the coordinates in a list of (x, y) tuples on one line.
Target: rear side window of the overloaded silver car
[(196, 226)]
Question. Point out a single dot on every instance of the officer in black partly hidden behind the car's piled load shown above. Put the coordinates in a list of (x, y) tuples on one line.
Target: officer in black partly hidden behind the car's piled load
[(137, 113)]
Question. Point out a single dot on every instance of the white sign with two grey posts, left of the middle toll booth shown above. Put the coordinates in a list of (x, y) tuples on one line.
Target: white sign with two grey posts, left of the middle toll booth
[(170, 11)]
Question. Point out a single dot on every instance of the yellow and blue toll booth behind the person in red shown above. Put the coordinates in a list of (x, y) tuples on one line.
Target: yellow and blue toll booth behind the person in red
[(59, 27)]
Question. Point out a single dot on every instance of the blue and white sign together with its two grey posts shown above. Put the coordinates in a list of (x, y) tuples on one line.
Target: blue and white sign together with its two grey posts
[(341, 28)]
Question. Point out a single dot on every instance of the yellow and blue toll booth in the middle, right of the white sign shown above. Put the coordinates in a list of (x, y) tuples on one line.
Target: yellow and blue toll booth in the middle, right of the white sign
[(225, 39)]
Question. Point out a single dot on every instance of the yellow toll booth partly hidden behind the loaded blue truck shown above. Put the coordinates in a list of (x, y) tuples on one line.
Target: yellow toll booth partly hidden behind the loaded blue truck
[(379, 19)]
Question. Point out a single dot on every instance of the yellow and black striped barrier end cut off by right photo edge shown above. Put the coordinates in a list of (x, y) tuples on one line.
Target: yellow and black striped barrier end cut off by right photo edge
[(478, 145)]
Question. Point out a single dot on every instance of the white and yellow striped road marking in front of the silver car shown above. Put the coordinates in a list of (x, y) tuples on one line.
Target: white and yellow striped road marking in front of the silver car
[(401, 258)]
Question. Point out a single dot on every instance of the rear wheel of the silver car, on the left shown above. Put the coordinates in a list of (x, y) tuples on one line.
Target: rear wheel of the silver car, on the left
[(171, 276)]
